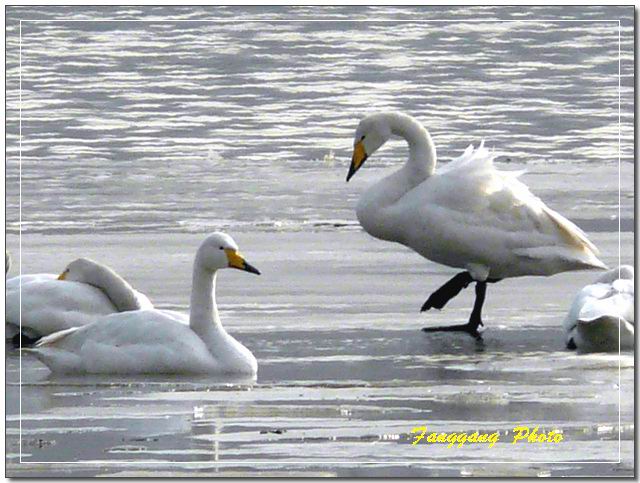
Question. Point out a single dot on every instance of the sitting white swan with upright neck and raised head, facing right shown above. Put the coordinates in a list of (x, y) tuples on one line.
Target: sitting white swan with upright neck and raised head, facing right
[(155, 341)]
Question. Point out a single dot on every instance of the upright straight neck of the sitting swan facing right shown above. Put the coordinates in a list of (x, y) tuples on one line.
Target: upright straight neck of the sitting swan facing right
[(203, 318)]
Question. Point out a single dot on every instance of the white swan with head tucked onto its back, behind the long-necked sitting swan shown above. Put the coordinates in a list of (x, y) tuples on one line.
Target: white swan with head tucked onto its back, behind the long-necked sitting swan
[(85, 290)]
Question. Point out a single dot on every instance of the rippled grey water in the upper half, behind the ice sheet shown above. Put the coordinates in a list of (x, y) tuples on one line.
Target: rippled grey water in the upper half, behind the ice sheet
[(189, 124)]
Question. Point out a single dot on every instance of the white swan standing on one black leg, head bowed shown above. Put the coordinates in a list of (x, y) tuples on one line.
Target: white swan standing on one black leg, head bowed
[(466, 215)]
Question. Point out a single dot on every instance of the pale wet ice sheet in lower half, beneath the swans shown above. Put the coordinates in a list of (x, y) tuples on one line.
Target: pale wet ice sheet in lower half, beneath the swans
[(344, 372)]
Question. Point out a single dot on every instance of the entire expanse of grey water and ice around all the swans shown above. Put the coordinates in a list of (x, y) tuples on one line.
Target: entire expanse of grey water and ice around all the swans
[(138, 137)]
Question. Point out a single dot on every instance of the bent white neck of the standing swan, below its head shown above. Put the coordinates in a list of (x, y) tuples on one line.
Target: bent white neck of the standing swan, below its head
[(422, 152)]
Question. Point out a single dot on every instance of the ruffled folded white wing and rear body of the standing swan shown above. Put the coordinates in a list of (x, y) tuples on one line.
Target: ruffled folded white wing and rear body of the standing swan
[(472, 212)]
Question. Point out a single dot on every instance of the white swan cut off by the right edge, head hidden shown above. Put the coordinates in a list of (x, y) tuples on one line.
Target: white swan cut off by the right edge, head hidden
[(602, 317)]
